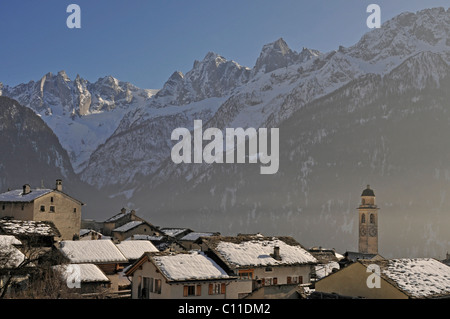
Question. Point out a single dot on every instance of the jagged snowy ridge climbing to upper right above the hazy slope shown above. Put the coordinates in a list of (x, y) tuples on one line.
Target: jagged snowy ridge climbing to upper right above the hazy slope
[(281, 82)]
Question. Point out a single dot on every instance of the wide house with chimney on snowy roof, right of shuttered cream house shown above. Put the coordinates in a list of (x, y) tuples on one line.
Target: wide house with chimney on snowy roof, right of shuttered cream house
[(261, 261)]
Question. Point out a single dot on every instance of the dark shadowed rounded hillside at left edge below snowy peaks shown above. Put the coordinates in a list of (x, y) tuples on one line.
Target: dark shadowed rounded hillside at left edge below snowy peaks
[(31, 152)]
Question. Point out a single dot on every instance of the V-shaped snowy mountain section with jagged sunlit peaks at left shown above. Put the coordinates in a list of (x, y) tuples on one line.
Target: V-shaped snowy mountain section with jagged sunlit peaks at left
[(82, 114)]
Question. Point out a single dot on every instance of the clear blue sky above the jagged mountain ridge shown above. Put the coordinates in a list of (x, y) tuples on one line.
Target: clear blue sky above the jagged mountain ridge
[(144, 42)]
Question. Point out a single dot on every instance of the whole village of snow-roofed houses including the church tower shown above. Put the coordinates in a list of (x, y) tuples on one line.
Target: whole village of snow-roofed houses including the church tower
[(43, 238)]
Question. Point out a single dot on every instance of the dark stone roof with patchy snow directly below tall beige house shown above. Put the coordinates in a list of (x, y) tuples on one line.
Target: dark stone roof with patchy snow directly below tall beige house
[(29, 228)]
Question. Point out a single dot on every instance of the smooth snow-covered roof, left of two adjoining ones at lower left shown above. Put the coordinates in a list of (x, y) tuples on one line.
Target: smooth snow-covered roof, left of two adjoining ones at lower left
[(91, 251)]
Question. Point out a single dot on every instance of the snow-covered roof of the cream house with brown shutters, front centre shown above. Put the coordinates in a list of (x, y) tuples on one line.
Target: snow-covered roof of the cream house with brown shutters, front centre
[(194, 265)]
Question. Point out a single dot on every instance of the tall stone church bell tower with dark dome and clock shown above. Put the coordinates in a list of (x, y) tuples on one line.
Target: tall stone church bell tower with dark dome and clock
[(368, 223)]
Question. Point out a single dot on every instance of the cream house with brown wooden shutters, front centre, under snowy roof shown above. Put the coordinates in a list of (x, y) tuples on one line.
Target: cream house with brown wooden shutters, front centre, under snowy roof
[(183, 275)]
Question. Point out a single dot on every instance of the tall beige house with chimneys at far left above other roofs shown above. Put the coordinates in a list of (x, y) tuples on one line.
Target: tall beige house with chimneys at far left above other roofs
[(44, 205)]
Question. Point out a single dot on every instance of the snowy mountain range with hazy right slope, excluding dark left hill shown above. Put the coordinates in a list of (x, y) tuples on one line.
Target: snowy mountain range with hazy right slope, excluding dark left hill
[(373, 113)]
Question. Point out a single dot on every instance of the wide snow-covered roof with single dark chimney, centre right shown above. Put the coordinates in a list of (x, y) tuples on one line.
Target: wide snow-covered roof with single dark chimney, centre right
[(253, 251)]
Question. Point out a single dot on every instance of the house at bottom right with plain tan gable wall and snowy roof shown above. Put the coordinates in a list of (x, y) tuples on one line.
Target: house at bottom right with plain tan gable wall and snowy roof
[(416, 278)]
